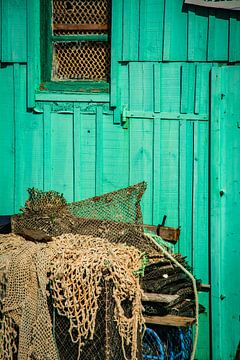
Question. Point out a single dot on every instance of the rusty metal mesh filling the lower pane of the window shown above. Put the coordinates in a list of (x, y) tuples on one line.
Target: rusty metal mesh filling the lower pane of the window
[(83, 60)]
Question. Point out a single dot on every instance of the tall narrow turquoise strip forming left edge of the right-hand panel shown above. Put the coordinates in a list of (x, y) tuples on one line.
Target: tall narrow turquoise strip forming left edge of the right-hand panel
[(215, 214)]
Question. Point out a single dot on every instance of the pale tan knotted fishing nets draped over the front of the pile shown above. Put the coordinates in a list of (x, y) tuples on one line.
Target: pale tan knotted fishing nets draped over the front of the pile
[(89, 280)]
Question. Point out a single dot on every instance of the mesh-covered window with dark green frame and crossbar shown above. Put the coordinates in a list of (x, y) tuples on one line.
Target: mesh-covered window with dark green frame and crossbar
[(77, 43)]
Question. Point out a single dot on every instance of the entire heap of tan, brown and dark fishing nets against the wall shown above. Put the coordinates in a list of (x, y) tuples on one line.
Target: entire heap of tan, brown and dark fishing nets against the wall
[(72, 278)]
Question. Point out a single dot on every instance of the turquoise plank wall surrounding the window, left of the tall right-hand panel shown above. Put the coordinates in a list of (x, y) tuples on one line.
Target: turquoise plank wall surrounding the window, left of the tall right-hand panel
[(153, 125)]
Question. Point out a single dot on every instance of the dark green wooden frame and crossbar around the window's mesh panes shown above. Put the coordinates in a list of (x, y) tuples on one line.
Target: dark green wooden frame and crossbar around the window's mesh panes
[(47, 40)]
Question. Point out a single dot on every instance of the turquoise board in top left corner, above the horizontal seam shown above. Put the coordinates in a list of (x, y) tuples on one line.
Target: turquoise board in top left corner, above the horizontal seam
[(14, 31)]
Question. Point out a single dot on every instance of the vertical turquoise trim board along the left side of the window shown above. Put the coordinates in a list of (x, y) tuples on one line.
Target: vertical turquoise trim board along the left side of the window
[(33, 50)]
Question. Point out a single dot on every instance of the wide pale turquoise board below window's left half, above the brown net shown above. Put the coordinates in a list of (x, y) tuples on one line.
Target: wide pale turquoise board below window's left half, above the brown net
[(62, 160)]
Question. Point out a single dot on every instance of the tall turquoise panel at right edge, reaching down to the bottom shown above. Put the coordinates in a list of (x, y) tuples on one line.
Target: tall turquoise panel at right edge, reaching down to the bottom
[(225, 209)]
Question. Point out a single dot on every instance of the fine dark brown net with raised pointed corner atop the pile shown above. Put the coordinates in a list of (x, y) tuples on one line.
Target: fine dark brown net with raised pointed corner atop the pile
[(115, 216)]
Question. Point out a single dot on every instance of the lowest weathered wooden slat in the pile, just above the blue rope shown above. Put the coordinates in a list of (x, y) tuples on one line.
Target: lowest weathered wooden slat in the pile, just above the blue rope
[(169, 320)]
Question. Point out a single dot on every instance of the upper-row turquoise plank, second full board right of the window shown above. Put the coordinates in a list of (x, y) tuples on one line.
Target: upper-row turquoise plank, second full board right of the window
[(151, 30)]
